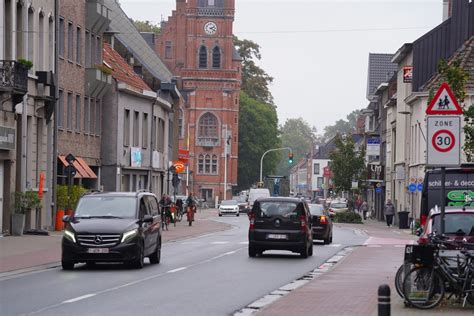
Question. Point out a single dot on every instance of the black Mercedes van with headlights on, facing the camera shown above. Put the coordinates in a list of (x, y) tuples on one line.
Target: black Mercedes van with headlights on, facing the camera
[(113, 227)]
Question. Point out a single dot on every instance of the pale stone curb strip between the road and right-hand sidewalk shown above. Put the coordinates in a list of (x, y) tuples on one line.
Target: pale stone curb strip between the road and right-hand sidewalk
[(284, 290)]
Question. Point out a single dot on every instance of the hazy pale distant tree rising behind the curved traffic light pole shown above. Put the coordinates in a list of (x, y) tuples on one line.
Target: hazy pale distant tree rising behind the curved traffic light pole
[(300, 136)]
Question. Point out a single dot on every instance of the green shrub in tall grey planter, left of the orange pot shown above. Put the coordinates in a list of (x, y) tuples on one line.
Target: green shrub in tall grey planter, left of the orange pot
[(24, 202)]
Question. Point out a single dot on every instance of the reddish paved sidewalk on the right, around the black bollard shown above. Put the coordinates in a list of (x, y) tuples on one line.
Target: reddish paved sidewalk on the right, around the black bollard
[(351, 287)]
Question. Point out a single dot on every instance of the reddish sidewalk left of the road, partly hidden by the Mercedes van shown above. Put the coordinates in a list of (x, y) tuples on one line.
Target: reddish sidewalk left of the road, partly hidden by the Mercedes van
[(30, 251)]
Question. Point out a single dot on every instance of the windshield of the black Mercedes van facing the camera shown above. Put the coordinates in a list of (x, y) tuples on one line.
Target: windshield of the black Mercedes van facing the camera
[(106, 206)]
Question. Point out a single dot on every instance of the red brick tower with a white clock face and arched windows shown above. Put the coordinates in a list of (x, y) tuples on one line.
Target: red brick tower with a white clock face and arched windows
[(196, 44)]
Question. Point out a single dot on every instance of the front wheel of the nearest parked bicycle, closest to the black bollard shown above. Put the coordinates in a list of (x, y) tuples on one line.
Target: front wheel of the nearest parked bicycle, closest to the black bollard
[(423, 288)]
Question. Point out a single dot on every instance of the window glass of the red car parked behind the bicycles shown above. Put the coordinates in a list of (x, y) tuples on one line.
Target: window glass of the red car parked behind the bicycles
[(461, 223)]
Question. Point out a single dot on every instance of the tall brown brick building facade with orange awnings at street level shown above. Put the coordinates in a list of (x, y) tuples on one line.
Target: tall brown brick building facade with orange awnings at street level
[(82, 83)]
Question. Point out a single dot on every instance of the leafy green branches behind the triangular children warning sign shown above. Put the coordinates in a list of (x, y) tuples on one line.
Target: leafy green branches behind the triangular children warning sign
[(456, 76)]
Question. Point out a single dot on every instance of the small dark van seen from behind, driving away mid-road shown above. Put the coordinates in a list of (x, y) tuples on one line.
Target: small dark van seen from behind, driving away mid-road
[(280, 224)]
